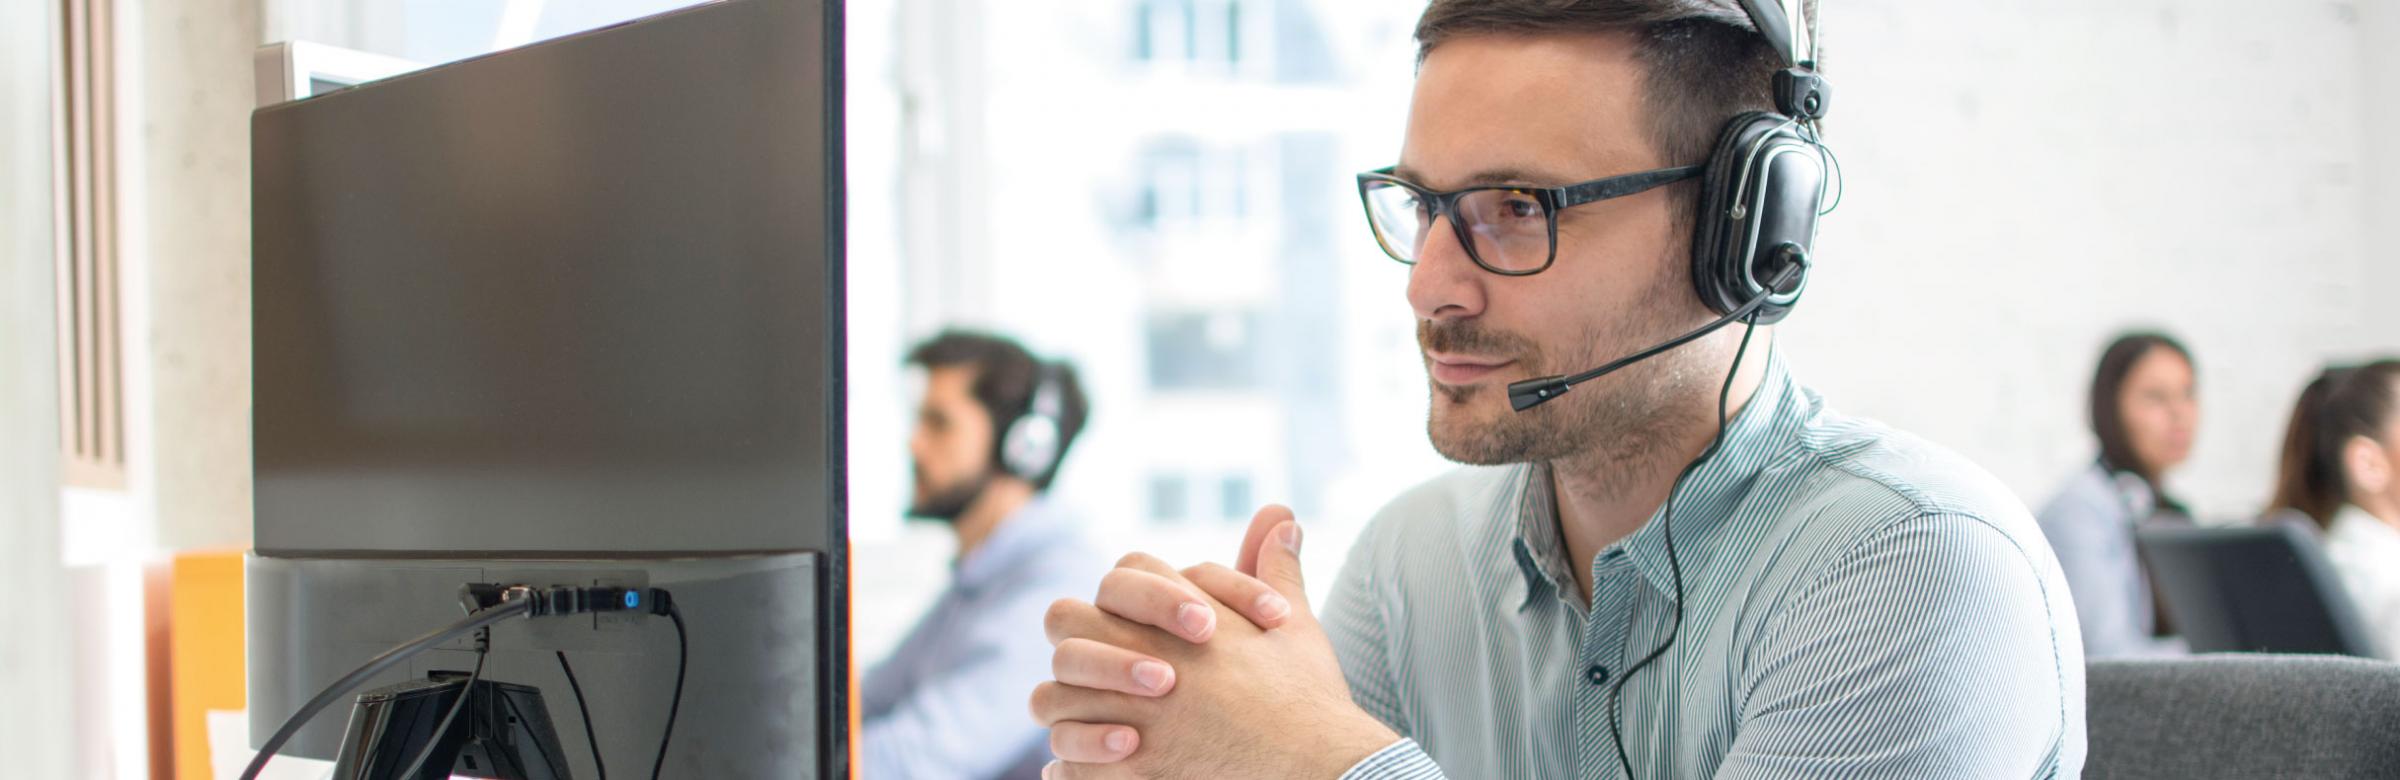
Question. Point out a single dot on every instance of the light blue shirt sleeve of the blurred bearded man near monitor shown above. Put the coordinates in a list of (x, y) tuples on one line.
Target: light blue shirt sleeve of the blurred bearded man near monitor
[(968, 721)]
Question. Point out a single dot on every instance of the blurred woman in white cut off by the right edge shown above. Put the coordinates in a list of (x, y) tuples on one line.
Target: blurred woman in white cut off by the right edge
[(2341, 467)]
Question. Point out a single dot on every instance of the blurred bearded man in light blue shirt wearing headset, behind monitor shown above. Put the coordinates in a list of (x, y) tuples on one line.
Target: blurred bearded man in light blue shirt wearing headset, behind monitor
[(992, 431)]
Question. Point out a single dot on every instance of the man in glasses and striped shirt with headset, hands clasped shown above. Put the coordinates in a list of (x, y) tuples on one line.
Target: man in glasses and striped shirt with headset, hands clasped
[(1688, 568)]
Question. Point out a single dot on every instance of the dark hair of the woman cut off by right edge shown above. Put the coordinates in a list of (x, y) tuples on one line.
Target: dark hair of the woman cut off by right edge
[(2336, 407)]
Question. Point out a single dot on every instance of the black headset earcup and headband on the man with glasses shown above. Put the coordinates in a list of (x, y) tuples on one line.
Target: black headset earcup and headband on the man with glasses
[(1765, 184)]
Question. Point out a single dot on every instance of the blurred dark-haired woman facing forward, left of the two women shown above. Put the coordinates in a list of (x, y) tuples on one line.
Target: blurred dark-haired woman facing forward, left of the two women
[(2144, 412)]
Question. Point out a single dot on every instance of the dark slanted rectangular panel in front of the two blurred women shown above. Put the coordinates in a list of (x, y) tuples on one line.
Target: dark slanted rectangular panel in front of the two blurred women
[(2255, 589)]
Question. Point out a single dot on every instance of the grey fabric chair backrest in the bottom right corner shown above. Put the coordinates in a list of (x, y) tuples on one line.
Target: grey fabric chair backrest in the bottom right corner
[(2243, 716)]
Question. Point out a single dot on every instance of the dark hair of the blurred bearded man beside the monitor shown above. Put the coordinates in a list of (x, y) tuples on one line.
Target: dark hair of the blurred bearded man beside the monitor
[(1004, 388)]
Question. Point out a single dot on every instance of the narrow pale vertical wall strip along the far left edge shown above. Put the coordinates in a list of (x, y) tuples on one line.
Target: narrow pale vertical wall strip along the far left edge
[(35, 661)]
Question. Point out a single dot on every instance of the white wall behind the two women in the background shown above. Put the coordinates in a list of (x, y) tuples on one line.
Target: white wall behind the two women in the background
[(2029, 179)]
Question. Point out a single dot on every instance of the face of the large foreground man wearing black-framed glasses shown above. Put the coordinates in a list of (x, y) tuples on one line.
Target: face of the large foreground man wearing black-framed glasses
[(1547, 112)]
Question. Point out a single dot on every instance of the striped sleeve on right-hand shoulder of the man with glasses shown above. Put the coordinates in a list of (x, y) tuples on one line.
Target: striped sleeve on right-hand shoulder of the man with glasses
[(1926, 652)]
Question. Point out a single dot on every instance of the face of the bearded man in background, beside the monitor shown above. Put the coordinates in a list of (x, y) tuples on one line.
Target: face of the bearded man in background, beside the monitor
[(952, 448)]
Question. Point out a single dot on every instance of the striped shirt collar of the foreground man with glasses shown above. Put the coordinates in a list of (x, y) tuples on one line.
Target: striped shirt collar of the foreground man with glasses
[(1753, 440)]
